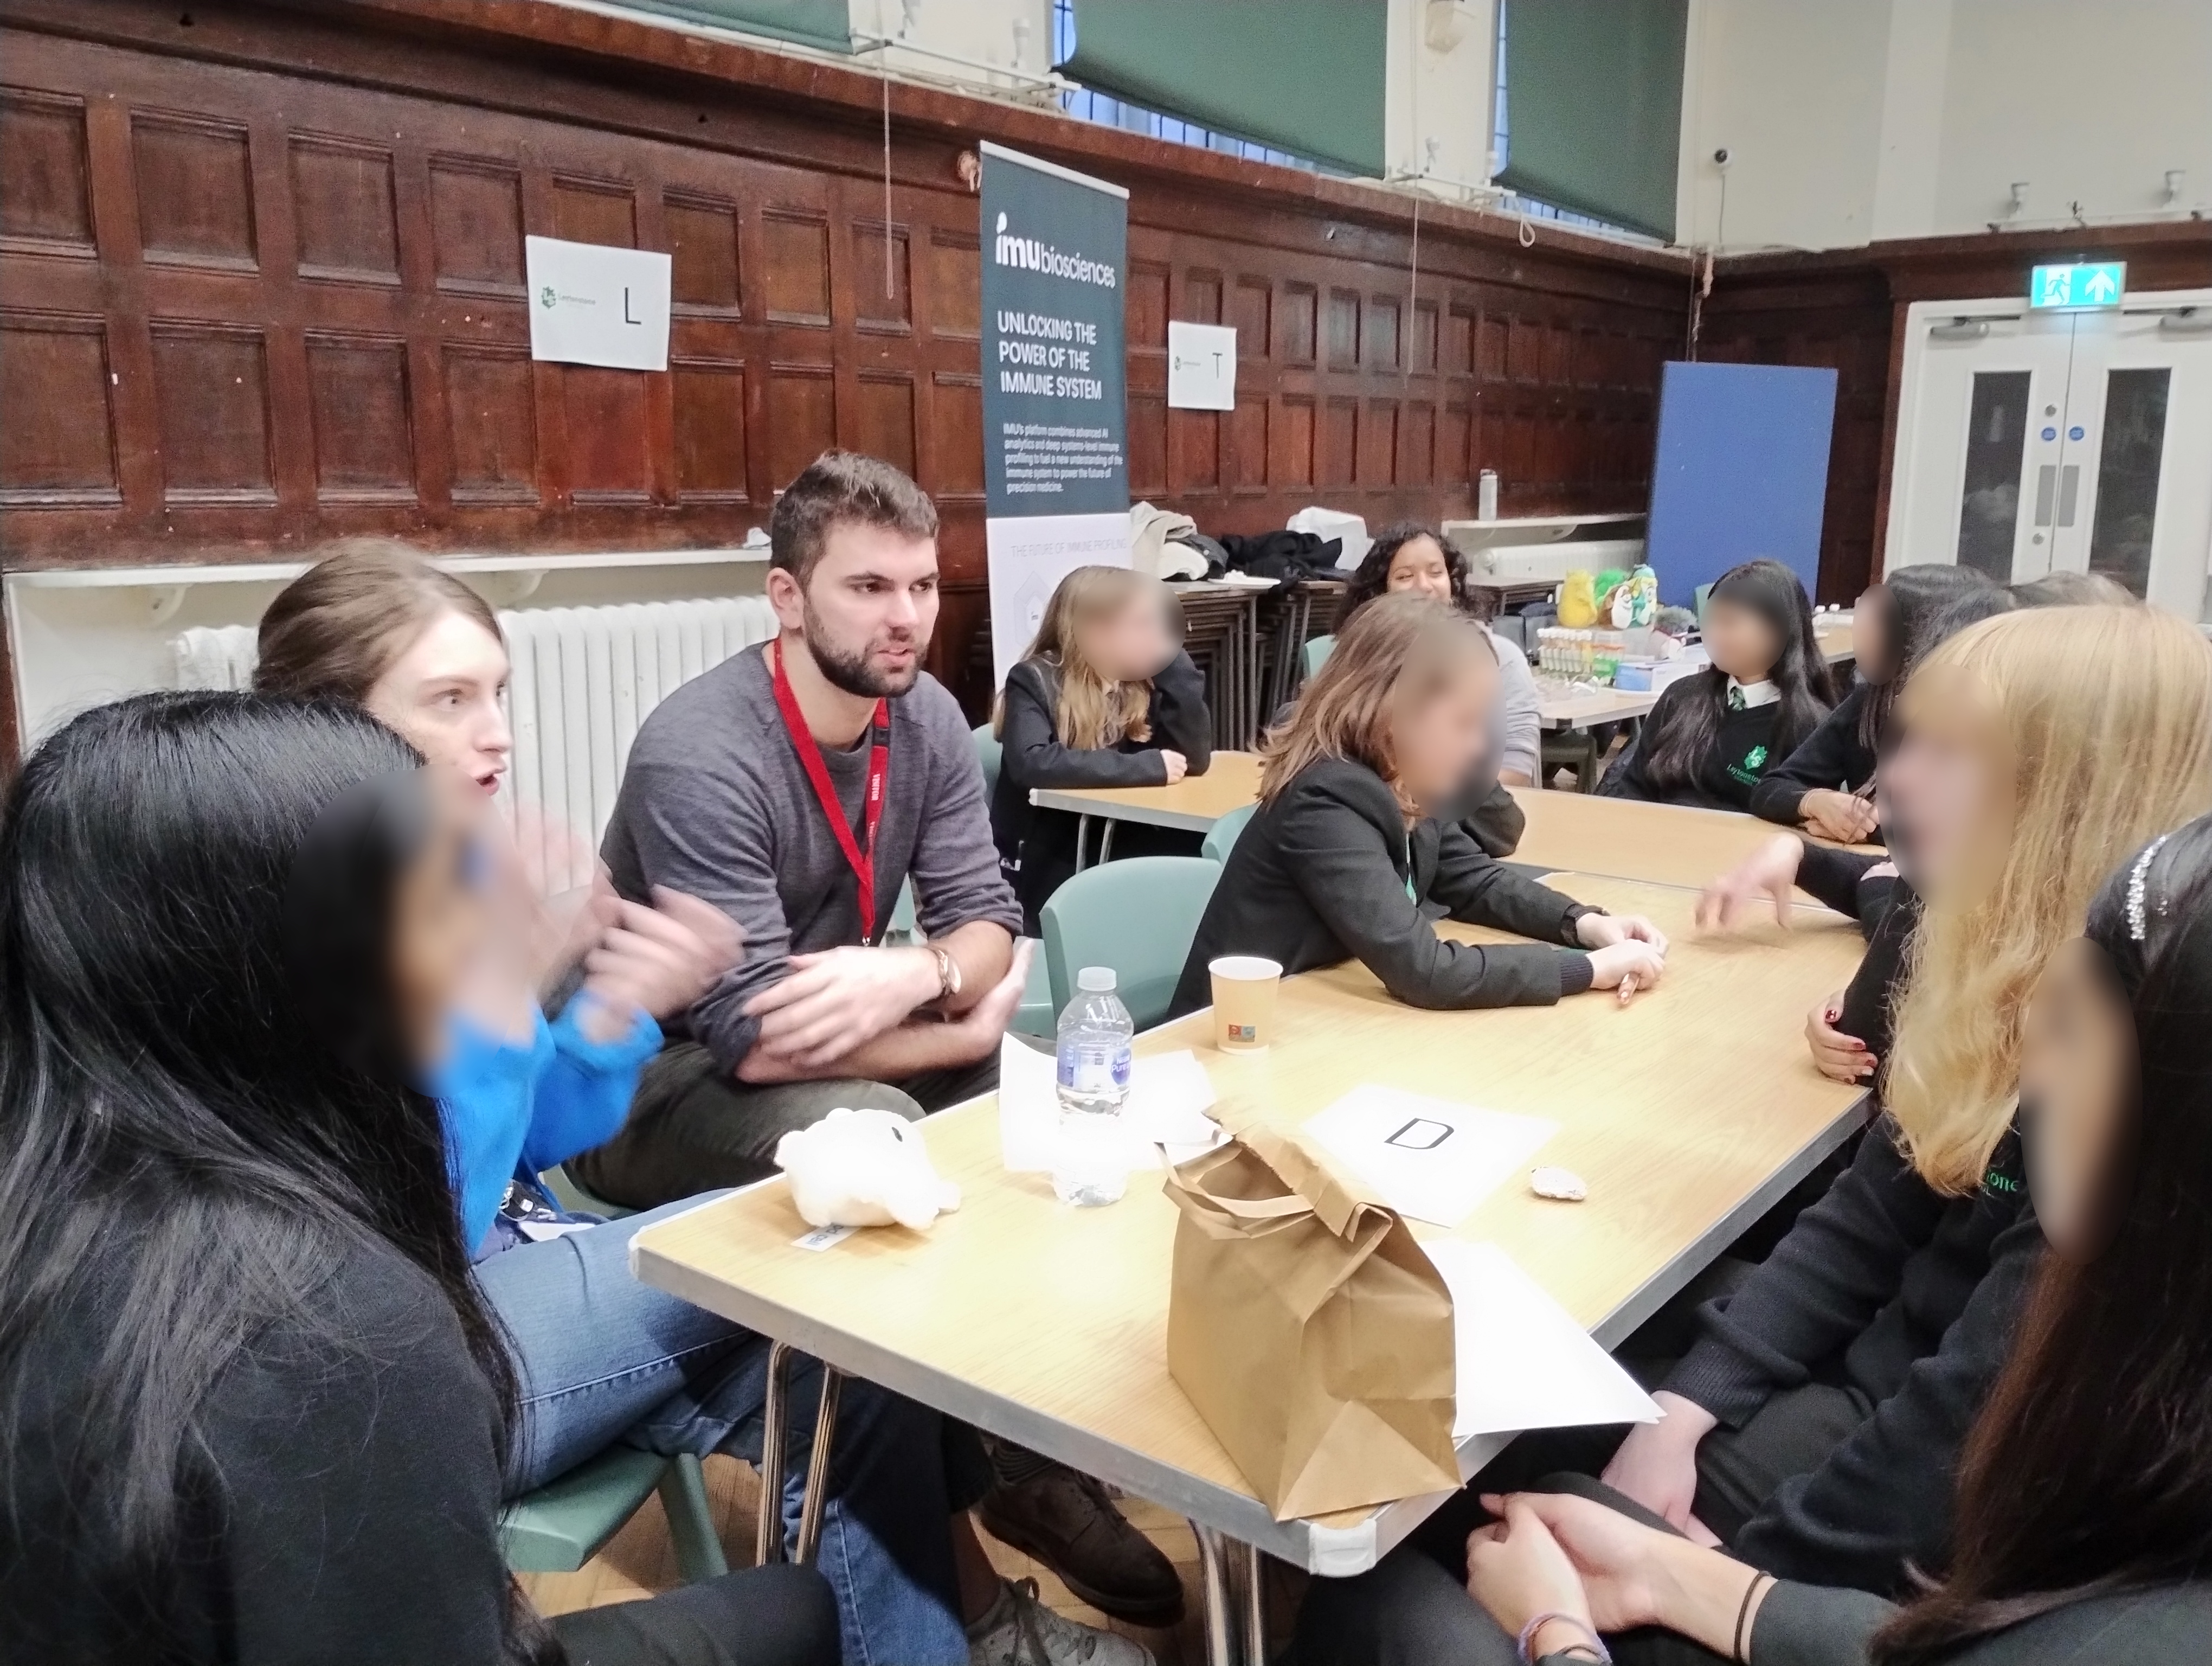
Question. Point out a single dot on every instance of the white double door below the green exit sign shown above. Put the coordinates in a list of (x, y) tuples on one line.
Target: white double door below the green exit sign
[(2063, 441)]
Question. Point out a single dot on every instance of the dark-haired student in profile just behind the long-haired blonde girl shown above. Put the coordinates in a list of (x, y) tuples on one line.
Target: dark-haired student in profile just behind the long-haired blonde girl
[(1828, 782)]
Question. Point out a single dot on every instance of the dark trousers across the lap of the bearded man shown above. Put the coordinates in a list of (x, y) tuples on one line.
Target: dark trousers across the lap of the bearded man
[(696, 1127)]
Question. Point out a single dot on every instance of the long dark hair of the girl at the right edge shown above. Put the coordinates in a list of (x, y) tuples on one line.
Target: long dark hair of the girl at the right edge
[(2091, 1464)]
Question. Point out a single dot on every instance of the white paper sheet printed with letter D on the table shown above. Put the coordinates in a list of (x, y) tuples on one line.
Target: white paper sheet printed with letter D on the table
[(1428, 1158)]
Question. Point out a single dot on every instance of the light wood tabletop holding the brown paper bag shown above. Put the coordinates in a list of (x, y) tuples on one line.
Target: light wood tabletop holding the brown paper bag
[(1689, 1114)]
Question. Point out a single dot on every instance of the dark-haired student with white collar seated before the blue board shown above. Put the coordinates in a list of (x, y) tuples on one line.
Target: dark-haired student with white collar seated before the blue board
[(1713, 736)]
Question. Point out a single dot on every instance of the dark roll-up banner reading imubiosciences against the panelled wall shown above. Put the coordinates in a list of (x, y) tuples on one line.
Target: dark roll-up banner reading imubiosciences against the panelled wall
[(1054, 402)]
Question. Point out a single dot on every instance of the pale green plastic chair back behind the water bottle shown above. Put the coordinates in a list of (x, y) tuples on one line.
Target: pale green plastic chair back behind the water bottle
[(1136, 917)]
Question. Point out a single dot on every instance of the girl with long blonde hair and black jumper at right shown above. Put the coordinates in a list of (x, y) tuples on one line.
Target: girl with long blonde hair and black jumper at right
[(1817, 1422)]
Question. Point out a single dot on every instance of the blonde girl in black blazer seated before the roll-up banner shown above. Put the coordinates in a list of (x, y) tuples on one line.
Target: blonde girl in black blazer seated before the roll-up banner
[(1105, 698)]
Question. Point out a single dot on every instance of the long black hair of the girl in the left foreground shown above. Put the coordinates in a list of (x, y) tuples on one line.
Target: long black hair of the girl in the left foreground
[(182, 1152)]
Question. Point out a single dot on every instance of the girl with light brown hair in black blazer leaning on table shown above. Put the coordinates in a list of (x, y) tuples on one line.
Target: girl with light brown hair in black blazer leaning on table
[(1348, 857)]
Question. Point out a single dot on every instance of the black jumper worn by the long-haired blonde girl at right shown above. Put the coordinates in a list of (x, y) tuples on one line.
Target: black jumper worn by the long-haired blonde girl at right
[(1906, 1295)]
